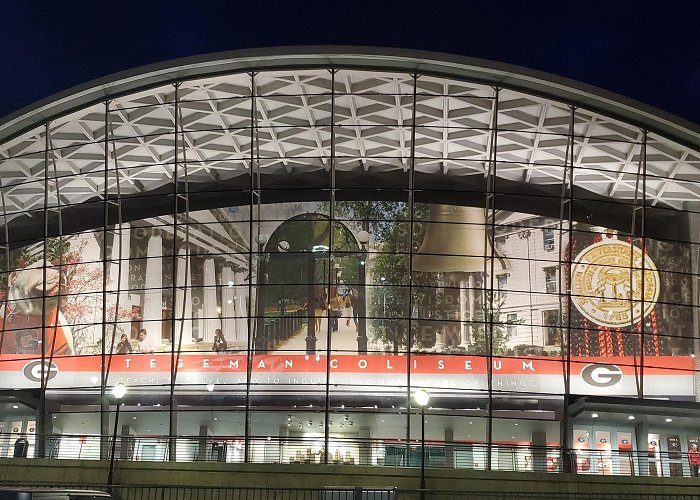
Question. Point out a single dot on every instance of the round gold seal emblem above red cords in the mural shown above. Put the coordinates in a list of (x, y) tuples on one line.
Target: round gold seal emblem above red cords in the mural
[(607, 285)]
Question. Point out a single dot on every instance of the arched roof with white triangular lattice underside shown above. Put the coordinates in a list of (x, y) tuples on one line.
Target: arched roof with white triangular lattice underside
[(352, 105)]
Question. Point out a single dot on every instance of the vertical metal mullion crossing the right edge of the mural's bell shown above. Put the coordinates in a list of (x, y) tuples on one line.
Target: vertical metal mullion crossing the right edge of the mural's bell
[(489, 237)]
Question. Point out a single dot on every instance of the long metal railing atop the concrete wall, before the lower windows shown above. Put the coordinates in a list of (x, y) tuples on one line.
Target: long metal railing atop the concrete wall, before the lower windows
[(352, 451)]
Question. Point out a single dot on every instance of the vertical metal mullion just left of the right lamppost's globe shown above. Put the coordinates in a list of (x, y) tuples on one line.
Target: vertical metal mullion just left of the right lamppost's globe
[(411, 218)]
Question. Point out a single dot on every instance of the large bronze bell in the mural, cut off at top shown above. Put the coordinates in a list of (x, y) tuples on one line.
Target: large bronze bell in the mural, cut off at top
[(455, 241)]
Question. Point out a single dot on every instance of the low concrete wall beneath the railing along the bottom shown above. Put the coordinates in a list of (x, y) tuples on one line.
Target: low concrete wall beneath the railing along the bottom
[(215, 475)]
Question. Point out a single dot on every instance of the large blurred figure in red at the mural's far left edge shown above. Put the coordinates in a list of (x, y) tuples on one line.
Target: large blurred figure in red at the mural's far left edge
[(25, 315)]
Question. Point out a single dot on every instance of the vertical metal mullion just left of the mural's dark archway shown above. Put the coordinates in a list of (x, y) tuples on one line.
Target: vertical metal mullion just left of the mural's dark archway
[(249, 354)]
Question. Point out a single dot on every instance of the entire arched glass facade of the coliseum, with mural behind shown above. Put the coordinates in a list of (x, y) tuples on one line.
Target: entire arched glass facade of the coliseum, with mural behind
[(273, 263)]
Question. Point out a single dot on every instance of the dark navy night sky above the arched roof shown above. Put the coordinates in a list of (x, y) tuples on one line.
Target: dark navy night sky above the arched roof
[(646, 50)]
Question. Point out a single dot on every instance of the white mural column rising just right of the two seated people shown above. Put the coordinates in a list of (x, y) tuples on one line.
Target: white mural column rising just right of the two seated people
[(153, 295)]
